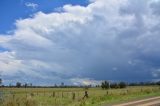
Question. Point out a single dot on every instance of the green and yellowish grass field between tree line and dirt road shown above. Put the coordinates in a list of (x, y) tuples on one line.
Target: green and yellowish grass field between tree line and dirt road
[(73, 96)]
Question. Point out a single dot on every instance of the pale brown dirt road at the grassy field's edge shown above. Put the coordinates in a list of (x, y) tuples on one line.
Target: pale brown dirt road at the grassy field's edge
[(154, 101)]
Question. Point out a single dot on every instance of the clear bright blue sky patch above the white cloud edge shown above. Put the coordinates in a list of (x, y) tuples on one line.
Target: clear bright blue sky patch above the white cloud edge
[(12, 10)]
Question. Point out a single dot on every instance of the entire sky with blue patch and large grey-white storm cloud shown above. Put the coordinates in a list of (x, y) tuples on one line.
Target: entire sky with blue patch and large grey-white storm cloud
[(79, 42)]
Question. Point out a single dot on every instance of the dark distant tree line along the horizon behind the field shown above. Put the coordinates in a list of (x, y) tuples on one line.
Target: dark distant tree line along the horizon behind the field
[(104, 85)]
